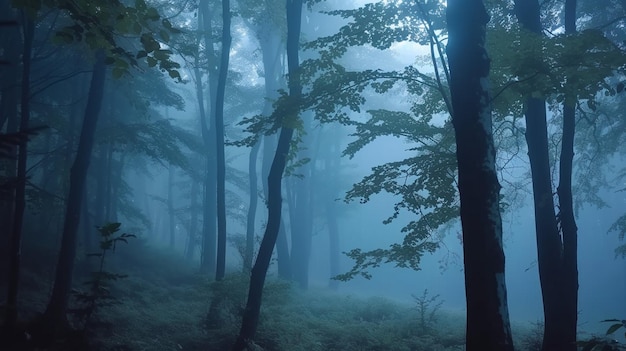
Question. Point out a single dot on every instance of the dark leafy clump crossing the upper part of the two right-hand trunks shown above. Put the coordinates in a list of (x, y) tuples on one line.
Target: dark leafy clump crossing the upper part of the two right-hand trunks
[(529, 65)]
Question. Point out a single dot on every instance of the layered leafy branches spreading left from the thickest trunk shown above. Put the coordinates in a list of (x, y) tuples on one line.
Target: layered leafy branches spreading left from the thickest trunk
[(424, 183)]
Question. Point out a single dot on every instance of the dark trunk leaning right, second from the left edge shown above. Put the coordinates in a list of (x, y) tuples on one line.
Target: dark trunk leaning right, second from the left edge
[(55, 315)]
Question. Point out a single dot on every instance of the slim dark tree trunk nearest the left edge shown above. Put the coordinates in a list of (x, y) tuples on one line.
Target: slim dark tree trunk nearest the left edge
[(20, 188)]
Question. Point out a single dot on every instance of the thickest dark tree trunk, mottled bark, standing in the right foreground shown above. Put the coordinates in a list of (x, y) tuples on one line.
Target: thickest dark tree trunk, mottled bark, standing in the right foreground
[(488, 326)]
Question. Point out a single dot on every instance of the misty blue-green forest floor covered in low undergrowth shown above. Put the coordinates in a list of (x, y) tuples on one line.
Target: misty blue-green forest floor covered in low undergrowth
[(163, 305)]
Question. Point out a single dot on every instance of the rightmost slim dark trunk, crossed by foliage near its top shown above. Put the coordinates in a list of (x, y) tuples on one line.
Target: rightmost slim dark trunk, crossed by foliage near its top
[(569, 274)]
